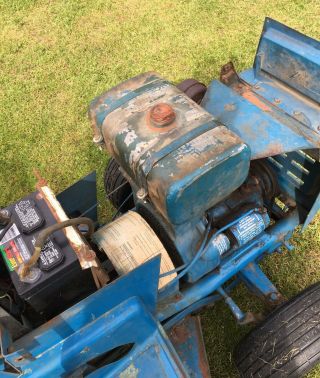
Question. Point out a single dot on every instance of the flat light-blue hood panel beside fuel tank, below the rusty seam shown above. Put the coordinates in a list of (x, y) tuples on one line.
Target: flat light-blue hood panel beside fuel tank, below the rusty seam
[(262, 126)]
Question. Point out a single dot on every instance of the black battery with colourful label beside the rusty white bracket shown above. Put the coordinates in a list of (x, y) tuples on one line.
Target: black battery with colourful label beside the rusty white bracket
[(58, 266)]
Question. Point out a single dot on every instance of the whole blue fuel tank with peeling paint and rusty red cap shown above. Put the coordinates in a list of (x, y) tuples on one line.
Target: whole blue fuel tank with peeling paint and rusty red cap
[(169, 146)]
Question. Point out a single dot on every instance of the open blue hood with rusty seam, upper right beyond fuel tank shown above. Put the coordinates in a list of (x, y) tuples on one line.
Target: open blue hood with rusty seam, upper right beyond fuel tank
[(273, 107)]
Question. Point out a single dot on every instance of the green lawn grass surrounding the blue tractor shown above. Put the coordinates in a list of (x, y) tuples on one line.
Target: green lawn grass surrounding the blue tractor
[(55, 56)]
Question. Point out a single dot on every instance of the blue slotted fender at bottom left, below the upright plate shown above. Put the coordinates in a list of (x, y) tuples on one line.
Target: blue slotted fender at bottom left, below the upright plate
[(127, 323)]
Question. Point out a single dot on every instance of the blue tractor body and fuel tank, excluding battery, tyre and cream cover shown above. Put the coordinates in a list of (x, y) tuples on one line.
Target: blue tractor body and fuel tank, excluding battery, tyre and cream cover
[(211, 177)]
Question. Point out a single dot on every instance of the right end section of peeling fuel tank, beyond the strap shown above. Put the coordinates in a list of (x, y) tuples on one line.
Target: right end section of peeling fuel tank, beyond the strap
[(173, 180)]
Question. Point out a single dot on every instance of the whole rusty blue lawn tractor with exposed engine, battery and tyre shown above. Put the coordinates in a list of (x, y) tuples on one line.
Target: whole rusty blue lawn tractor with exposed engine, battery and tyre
[(206, 182)]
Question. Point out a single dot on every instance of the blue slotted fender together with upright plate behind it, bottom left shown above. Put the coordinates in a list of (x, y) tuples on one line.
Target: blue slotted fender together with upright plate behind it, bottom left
[(118, 314)]
